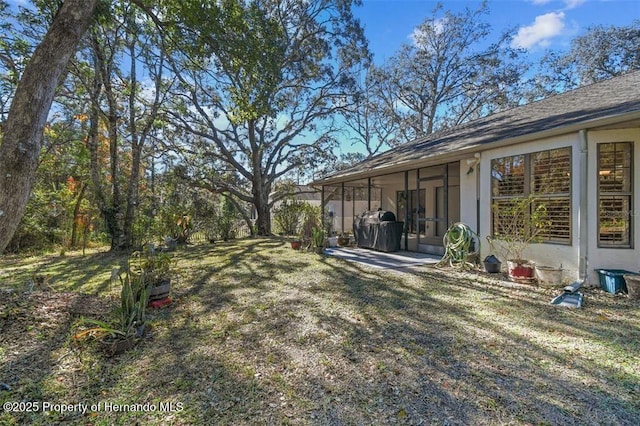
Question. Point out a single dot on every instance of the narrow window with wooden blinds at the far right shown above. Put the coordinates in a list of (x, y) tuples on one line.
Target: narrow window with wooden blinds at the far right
[(615, 166)]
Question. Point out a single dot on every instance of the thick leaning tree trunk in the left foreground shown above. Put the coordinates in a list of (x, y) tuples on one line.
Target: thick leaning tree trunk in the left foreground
[(23, 130)]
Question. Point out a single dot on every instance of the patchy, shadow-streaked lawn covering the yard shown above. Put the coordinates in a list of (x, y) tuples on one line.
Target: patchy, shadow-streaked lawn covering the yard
[(260, 334)]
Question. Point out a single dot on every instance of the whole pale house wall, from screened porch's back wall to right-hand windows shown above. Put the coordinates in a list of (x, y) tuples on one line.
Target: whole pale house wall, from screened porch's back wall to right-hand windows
[(475, 200)]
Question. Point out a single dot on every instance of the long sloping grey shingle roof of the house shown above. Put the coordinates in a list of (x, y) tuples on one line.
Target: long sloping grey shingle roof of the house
[(610, 98)]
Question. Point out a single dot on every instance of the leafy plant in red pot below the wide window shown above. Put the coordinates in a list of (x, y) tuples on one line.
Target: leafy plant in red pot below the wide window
[(518, 223)]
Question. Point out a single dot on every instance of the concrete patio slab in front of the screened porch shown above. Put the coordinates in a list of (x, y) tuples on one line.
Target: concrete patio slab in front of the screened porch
[(397, 260)]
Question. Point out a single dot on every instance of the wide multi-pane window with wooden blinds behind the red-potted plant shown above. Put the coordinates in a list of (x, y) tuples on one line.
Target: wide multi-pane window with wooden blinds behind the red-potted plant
[(544, 175)]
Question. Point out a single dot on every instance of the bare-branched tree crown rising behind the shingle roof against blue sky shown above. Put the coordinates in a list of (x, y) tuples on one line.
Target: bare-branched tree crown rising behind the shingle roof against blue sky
[(446, 76)]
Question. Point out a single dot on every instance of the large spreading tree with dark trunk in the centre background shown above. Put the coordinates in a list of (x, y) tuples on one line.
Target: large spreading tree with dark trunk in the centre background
[(260, 86)]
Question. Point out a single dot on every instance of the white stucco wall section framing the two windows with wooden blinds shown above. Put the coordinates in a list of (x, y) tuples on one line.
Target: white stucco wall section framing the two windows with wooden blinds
[(568, 254)]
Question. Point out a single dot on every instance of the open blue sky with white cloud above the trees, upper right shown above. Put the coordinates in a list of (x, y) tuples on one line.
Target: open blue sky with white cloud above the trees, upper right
[(540, 24)]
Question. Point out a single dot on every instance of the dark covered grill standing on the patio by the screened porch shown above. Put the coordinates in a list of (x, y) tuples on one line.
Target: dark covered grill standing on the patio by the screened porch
[(378, 230)]
